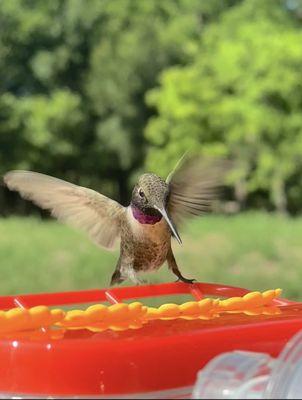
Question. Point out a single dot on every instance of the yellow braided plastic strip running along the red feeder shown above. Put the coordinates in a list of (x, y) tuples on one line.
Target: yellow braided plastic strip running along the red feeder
[(122, 316)]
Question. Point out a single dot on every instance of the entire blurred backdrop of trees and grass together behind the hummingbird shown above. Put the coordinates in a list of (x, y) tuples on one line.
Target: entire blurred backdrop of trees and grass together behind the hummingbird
[(98, 91)]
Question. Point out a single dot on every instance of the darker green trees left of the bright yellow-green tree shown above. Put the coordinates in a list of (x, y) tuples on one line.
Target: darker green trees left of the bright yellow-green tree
[(75, 74)]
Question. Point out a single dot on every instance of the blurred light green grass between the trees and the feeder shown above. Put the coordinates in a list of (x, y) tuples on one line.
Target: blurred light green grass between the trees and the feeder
[(254, 250)]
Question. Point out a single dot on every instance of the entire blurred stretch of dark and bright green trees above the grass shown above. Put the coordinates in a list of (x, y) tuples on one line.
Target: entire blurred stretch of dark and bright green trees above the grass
[(97, 91)]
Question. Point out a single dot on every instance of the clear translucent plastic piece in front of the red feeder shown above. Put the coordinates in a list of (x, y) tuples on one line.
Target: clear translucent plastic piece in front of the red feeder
[(248, 375)]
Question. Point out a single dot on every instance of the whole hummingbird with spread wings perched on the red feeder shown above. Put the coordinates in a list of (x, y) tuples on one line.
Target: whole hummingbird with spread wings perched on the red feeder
[(145, 227)]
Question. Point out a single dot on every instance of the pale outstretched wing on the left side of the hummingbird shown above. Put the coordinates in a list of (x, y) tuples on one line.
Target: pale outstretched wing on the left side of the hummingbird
[(81, 207)]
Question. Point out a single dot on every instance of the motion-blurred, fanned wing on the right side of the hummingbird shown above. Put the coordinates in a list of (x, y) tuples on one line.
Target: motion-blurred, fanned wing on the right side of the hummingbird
[(194, 185)]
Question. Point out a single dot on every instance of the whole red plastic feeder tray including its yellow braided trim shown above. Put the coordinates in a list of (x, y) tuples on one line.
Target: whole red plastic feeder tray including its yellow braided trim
[(126, 348)]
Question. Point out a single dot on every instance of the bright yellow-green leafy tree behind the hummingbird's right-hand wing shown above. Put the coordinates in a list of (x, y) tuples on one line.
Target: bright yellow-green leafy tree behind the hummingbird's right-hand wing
[(241, 97)]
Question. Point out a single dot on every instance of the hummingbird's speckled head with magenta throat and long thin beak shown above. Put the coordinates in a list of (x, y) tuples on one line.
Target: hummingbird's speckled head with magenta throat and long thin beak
[(150, 198)]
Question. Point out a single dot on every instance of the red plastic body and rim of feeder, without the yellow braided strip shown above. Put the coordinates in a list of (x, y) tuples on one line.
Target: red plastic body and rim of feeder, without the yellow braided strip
[(162, 356)]
